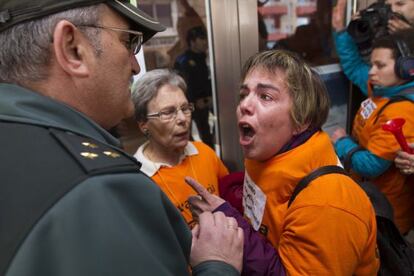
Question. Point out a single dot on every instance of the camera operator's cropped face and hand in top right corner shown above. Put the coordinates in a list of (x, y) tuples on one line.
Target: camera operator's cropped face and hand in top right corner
[(404, 8)]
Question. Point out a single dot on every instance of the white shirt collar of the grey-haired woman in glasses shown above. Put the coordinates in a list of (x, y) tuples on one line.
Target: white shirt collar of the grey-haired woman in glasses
[(150, 168)]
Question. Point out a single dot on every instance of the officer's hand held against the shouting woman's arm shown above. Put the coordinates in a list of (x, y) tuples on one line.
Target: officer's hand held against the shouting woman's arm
[(218, 238)]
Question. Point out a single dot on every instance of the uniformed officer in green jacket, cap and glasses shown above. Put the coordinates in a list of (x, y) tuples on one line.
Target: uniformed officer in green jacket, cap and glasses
[(71, 201)]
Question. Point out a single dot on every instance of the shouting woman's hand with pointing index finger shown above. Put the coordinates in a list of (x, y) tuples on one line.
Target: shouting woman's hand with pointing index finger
[(204, 201)]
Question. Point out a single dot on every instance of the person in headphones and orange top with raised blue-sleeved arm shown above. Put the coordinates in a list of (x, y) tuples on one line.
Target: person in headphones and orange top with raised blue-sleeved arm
[(370, 151)]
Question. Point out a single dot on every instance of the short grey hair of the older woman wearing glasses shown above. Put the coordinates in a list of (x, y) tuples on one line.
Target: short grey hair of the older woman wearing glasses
[(146, 88)]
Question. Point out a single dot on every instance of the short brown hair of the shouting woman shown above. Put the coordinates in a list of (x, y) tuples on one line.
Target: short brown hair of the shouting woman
[(309, 95)]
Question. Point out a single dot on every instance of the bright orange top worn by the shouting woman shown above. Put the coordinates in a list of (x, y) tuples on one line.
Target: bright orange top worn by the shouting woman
[(330, 228)]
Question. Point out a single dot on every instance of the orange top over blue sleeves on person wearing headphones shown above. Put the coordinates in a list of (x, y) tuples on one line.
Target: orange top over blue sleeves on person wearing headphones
[(371, 136)]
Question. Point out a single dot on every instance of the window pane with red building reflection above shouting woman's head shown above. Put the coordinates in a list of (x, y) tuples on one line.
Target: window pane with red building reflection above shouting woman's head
[(302, 26)]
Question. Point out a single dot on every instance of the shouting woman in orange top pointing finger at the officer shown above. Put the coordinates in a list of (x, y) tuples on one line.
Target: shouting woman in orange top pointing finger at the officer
[(330, 228)]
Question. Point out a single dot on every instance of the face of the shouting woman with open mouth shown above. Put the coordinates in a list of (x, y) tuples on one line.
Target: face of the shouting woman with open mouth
[(263, 113)]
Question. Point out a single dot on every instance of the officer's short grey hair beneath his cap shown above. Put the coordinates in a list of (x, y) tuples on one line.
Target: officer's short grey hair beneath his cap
[(26, 48)]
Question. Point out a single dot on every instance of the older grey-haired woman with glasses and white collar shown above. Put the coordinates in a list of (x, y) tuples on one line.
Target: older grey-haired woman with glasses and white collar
[(163, 114)]
